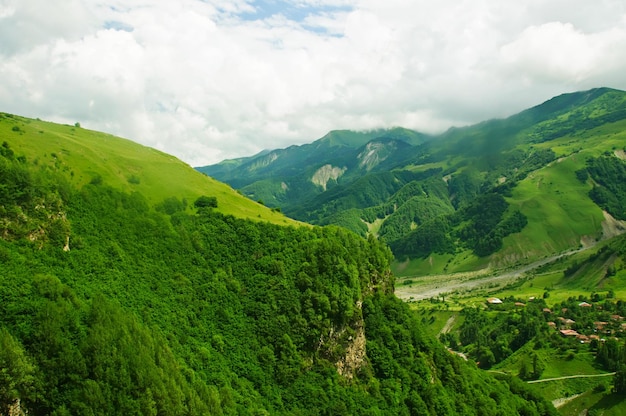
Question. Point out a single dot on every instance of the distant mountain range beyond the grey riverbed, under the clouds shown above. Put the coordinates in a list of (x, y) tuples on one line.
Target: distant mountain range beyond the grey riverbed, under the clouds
[(496, 193)]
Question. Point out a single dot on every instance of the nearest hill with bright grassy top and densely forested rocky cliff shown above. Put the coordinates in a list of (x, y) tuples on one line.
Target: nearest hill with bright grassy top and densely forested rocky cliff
[(132, 284)]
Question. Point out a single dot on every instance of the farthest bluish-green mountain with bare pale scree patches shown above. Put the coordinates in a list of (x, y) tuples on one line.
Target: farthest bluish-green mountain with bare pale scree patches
[(287, 177)]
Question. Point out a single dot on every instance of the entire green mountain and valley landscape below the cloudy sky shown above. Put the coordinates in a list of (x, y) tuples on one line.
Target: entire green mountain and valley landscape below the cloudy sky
[(332, 278)]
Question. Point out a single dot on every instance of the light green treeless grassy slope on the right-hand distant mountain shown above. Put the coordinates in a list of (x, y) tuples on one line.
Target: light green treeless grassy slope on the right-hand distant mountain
[(560, 213)]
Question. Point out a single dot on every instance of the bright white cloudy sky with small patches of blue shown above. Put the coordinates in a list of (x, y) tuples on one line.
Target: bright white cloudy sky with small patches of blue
[(208, 80)]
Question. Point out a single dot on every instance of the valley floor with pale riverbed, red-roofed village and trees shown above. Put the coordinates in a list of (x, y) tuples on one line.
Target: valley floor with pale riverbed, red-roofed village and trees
[(565, 367)]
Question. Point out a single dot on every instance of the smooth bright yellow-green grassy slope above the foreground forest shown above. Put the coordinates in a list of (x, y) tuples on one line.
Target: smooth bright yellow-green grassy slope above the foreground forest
[(84, 154)]
